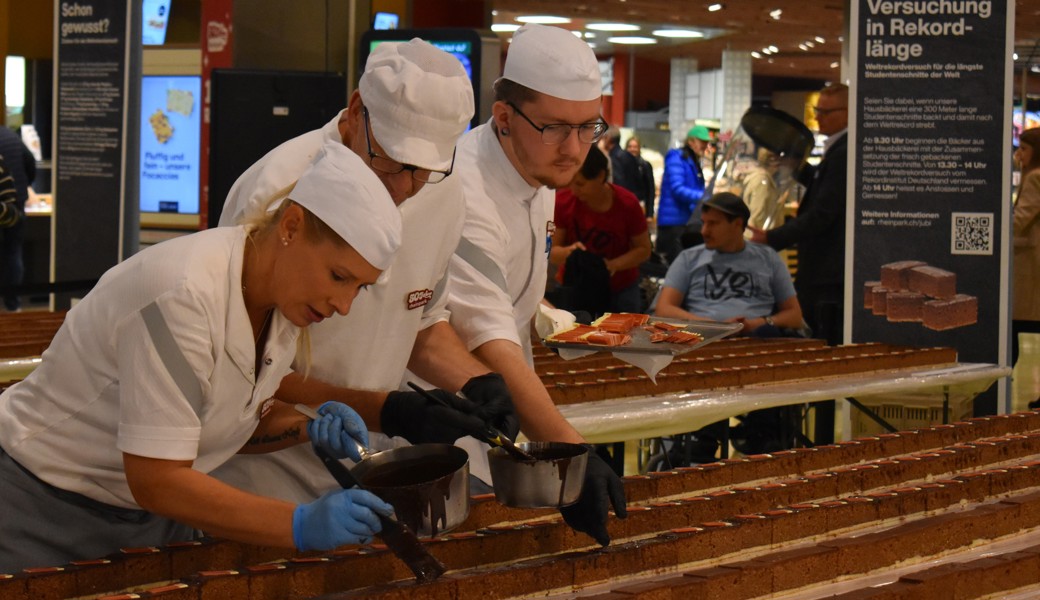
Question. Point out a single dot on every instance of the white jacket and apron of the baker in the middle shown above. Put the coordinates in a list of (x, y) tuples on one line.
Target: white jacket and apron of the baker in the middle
[(370, 348)]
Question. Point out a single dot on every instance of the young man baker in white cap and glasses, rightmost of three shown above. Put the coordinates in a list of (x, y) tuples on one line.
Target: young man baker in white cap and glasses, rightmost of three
[(547, 117)]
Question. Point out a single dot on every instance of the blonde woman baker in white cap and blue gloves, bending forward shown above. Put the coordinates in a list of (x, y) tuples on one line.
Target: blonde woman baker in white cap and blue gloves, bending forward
[(168, 369)]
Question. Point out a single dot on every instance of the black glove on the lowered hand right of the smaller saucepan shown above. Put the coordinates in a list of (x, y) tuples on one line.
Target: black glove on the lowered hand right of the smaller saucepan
[(589, 514)]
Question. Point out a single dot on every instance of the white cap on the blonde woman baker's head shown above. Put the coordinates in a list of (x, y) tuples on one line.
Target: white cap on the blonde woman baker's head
[(341, 190)]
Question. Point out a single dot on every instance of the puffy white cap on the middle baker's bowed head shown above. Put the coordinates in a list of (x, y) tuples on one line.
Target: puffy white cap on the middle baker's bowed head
[(421, 101)]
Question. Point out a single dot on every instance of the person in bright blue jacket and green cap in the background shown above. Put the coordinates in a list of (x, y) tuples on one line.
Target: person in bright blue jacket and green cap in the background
[(682, 191)]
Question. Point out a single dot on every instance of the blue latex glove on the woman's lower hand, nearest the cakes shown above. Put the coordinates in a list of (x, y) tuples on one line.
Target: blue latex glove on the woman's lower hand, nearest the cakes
[(339, 518)]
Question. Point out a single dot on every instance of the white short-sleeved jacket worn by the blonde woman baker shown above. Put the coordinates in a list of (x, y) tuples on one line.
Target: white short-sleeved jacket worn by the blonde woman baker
[(158, 361)]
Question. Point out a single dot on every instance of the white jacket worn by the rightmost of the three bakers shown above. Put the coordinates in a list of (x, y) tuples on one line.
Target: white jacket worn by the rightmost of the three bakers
[(510, 225)]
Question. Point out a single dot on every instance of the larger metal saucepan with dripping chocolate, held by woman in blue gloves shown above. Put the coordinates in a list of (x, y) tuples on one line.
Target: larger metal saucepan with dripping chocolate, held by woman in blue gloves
[(427, 484)]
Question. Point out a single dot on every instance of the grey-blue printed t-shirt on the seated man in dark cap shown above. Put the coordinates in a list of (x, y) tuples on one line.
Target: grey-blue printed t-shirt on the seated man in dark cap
[(721, 286)]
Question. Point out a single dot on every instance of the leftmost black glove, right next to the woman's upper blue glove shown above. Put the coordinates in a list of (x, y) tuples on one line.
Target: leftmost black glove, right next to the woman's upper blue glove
[(420, 421)]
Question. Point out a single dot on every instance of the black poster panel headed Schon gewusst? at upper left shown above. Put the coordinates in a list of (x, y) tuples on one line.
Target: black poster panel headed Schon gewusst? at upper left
[(91, 71)]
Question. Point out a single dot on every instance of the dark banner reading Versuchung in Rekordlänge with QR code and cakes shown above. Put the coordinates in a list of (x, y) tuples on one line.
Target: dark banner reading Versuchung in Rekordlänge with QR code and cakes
[(931, 194)]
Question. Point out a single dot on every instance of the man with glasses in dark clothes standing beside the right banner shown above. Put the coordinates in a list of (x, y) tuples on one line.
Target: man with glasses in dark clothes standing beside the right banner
[(819, 228)]
